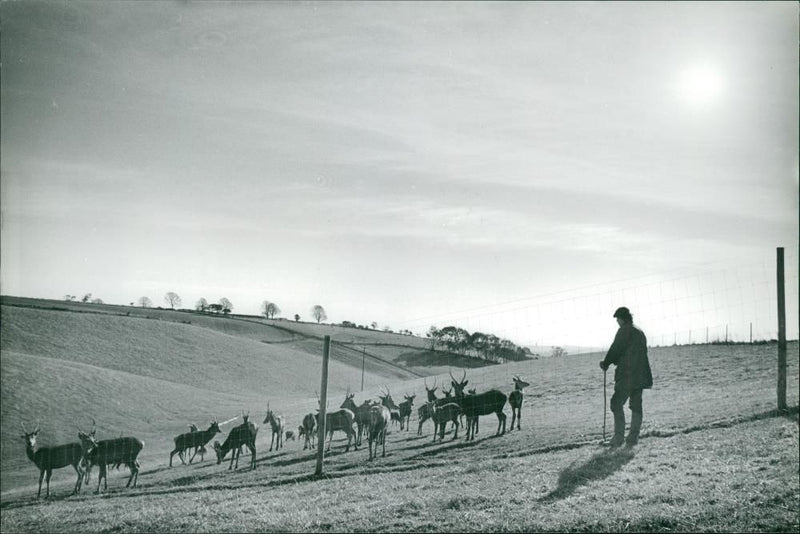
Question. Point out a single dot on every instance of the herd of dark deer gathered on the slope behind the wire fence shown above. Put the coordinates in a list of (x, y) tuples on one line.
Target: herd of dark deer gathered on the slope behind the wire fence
[(372, 418)]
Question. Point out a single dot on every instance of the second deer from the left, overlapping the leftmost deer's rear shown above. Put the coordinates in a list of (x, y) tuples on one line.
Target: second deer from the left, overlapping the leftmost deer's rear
[(105, 452)]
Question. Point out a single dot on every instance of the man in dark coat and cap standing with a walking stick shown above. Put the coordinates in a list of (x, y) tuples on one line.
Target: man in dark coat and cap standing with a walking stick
[(629, 354)]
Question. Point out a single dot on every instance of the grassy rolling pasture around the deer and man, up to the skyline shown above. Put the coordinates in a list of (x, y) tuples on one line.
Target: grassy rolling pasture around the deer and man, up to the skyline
[(714, 455)]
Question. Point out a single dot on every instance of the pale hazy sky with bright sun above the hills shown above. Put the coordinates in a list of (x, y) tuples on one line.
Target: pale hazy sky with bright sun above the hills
[(519, 168)]
